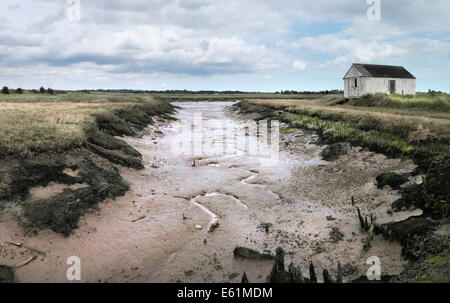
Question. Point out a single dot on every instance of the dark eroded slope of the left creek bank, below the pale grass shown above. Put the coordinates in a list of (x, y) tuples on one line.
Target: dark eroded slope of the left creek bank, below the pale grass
[(93, 165)]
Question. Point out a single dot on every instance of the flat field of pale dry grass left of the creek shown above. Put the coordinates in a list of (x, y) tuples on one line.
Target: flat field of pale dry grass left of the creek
[(34, 124)]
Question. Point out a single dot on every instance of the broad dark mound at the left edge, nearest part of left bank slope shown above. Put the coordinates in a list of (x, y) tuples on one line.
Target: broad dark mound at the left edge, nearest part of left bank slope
[(61, 212)]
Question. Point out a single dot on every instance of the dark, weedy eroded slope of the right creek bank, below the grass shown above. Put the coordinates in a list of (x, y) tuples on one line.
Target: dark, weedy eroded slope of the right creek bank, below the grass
[(417, 235)]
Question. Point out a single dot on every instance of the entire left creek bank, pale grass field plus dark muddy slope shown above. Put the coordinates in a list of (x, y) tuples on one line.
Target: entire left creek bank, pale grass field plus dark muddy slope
[(52, 133)]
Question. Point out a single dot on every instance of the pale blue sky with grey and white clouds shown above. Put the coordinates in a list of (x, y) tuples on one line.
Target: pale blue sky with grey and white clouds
[(248, 45)]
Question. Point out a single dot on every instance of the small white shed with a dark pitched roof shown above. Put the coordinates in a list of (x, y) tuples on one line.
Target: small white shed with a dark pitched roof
[(364, 79)]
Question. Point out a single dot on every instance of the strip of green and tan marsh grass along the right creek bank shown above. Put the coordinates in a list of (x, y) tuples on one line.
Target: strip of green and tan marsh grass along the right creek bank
[(419, 137)]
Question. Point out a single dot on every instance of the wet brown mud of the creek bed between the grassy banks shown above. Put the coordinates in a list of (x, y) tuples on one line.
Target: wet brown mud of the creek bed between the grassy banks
[(171, 198)]
